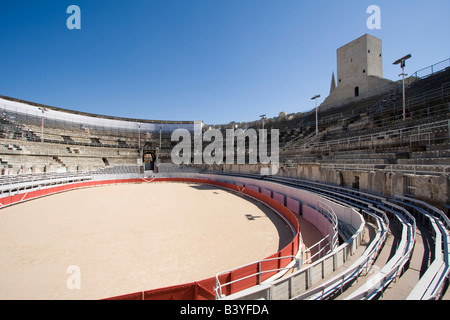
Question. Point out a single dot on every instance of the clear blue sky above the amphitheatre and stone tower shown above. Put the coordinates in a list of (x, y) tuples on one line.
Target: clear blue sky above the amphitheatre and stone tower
[(211, 60)]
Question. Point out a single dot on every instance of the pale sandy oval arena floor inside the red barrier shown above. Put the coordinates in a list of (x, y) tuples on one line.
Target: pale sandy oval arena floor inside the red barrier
[(130, 238)]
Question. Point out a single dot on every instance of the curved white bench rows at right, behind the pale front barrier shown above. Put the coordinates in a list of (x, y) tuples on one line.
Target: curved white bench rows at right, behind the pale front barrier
[(399, 212)]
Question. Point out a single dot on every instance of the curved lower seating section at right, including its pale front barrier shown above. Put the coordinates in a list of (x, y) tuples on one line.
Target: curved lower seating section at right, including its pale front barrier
[(412, 261)]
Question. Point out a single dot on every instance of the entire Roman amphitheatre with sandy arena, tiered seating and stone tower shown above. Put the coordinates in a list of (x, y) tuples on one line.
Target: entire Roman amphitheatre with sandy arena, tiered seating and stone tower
[(356, 209)]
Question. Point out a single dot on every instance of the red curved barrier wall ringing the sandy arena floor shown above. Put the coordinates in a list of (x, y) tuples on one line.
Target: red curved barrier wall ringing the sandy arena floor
[(204, 289)]
